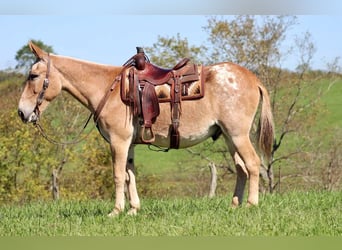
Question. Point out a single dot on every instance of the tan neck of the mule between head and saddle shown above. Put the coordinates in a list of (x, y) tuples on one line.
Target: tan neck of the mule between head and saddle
[(86, 81)]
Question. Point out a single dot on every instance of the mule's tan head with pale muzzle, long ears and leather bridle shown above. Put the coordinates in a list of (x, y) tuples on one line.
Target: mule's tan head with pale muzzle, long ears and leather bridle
[(41, 87)]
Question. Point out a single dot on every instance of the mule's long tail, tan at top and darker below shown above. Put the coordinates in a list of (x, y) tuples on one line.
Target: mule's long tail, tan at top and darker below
[(266, 126)]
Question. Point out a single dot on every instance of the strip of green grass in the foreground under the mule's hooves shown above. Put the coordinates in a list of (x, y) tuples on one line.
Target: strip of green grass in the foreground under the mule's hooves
[(296, 214)]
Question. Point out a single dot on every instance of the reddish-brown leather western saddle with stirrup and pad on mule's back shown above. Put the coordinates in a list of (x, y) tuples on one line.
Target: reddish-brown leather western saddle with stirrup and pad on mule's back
[(144, 86)]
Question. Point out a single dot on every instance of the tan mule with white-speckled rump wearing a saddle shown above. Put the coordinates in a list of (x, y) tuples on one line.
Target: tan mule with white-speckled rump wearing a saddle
[(232, 95)]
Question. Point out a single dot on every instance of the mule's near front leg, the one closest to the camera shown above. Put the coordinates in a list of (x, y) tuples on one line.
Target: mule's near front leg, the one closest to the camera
[(119, 150)]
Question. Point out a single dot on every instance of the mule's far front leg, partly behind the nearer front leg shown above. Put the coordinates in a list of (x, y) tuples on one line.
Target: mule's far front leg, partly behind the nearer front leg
[(131, 184)]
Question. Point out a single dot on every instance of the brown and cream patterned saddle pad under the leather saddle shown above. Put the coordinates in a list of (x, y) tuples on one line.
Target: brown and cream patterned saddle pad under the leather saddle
[(190, 90)]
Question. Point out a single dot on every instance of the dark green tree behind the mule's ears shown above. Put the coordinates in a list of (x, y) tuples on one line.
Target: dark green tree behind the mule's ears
[(25, 58)]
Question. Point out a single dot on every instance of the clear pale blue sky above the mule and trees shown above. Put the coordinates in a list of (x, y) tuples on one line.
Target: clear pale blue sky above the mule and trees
[(111, 39)]
